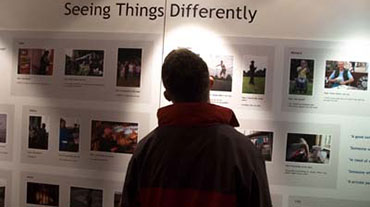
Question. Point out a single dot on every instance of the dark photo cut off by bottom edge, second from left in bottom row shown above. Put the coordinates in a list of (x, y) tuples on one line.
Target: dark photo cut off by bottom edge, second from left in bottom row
[(86, 197)]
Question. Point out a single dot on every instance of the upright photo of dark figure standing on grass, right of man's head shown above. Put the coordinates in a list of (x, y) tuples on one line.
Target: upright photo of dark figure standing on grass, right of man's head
[(254, 74)]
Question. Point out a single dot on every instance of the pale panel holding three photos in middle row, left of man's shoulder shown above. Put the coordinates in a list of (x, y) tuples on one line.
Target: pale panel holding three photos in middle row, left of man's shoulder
[(80, 138)]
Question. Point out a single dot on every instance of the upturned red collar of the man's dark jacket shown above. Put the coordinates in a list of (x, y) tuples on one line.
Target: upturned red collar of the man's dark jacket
[(195, 114)]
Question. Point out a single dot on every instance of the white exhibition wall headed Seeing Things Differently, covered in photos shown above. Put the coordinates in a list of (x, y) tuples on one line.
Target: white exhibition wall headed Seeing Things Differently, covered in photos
[(102, 72)]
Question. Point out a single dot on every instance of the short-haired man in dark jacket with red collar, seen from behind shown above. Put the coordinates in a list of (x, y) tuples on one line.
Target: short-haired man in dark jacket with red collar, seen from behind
[(194, 158)]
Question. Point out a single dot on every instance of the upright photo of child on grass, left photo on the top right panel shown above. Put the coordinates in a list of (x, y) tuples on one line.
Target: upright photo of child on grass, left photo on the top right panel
[(301, 76)]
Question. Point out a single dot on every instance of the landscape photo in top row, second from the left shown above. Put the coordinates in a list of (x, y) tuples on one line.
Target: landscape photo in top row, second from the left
[(84, 63)]
